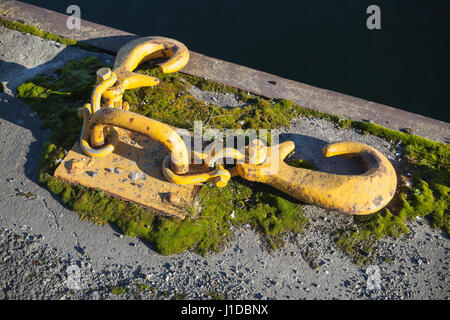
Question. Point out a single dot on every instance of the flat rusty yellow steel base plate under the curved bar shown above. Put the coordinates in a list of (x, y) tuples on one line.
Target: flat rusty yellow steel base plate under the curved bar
[(135, 157)]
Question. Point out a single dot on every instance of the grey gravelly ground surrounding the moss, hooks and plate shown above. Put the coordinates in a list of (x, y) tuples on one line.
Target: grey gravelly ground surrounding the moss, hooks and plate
[(46, 252)]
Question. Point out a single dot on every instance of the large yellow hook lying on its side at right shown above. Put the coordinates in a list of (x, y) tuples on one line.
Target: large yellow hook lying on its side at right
[(355, 194)]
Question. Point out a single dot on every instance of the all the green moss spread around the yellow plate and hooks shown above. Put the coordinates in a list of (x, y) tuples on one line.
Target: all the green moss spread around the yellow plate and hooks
[(210, 221)]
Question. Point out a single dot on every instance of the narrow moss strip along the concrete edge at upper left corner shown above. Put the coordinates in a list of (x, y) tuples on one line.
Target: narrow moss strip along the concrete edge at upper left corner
[(21, 27)]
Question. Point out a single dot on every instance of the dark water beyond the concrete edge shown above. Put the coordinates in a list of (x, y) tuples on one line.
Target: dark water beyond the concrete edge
[(322, 43)]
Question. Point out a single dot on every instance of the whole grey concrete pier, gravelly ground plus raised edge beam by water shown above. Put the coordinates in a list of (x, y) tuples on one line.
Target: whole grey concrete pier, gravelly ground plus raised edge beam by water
[(41, 239)]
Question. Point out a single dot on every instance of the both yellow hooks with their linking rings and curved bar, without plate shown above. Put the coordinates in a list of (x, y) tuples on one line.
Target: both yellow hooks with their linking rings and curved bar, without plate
[(355, 194)]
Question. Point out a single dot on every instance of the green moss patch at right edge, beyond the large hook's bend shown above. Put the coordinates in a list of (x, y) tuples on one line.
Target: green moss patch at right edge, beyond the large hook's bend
[(425, 196)]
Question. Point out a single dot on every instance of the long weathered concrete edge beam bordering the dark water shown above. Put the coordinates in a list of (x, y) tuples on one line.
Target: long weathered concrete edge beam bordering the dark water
[(247, 79)]
